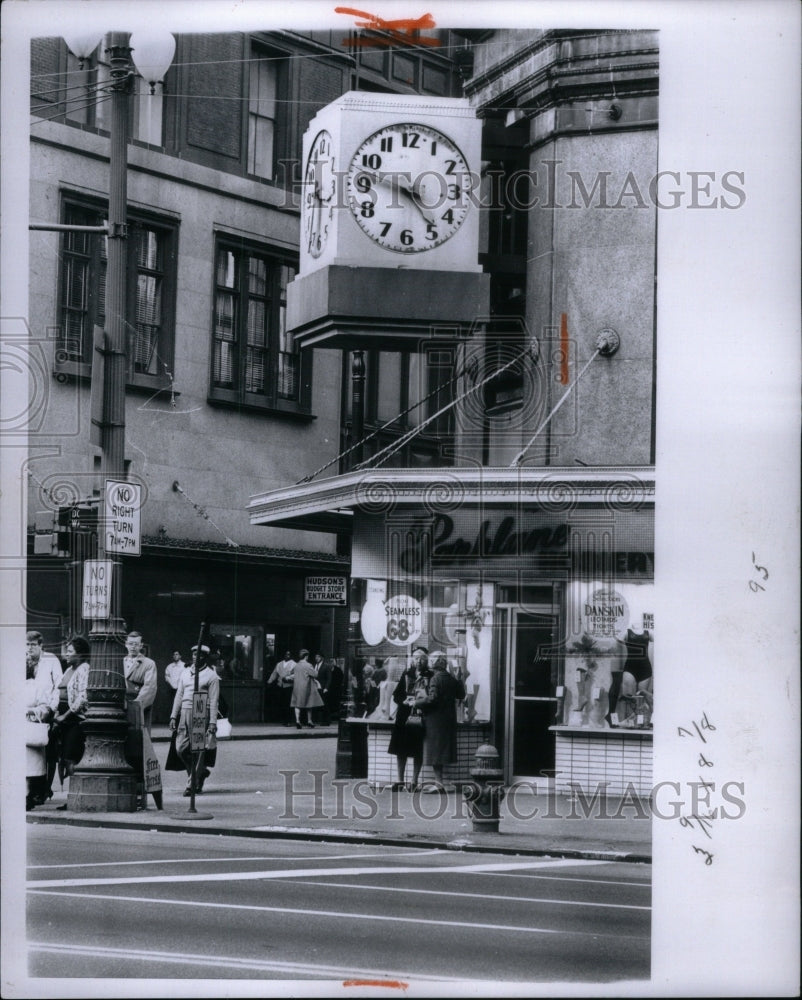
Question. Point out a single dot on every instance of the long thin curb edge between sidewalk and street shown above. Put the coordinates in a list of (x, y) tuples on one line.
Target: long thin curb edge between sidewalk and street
[(336, 836)]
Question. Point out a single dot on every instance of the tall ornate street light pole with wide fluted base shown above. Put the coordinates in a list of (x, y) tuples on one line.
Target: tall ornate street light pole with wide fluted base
[(103, 781)]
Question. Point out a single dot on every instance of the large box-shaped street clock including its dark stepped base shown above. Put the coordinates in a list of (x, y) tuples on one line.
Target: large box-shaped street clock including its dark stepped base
[(389, 237)]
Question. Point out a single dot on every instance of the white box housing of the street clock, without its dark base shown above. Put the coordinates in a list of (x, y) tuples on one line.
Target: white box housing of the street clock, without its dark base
[(391, 180)]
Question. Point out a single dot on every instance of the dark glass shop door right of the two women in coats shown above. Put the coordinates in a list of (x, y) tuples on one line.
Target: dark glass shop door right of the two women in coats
[(532, 692)]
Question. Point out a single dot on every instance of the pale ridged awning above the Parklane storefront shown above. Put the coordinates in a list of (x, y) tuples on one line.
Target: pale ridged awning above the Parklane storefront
[(330, 504)]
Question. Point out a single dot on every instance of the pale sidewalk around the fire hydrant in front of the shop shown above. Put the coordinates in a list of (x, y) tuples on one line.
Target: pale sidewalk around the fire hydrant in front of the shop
[(287, 790)]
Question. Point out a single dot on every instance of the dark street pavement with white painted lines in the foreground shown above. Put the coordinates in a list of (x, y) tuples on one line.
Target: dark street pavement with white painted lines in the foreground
[(466, 923)]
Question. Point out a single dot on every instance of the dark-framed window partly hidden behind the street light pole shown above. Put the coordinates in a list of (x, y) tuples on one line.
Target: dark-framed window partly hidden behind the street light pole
[(151, 265)]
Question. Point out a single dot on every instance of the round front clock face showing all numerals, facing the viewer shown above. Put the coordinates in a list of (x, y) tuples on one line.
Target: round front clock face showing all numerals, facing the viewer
[(409, 188)]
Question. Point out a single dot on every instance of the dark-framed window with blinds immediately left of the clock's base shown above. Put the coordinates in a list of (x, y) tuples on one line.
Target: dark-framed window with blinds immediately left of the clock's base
[(254, 361)]
